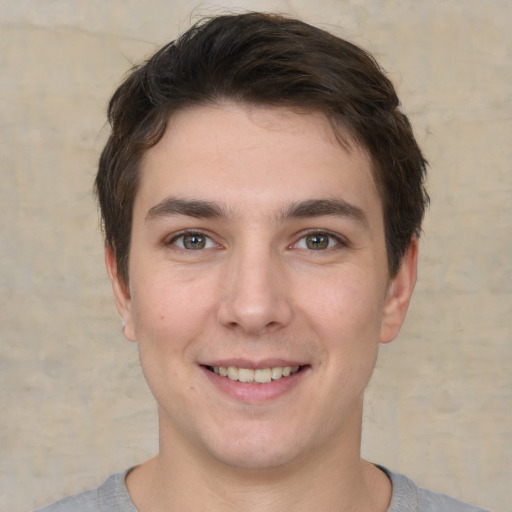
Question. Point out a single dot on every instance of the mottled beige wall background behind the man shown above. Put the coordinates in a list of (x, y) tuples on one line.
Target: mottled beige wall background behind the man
[(74, 406)]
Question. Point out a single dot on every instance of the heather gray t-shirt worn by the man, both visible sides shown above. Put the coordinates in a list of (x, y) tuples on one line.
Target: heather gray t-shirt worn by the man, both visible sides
[(112, 496)]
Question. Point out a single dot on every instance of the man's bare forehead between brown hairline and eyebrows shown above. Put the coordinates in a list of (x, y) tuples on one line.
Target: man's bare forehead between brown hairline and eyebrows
[(253, 157)]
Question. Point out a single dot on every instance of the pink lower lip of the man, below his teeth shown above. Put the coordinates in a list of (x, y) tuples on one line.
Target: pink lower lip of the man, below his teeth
[(255, 392)]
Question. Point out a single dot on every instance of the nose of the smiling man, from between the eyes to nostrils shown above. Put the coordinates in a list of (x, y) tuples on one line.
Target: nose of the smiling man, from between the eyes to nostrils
[(256, 293)]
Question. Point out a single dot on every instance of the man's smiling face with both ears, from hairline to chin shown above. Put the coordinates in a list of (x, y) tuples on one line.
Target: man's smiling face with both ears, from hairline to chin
[(259, 289)]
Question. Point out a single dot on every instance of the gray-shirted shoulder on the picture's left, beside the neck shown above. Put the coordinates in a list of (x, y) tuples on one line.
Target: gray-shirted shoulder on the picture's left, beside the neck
[(111, 496)]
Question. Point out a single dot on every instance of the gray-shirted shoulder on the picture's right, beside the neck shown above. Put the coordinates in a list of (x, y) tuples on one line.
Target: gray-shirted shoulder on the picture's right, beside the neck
[(408, 497)]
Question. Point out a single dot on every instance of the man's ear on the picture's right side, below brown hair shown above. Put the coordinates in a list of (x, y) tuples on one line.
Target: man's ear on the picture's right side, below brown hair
[(399, 294)]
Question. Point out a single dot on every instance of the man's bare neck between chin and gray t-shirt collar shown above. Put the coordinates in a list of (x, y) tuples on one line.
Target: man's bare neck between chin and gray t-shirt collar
[(333, 478)]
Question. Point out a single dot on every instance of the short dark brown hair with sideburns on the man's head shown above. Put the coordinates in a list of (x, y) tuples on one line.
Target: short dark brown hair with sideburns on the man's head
[(269, 60)]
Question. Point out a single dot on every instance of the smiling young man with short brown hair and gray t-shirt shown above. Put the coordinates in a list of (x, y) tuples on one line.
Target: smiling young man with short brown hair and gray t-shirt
[(262, 197)]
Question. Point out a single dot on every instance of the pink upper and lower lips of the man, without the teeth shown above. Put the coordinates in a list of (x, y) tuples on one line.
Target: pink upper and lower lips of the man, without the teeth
[(255, 393)]
